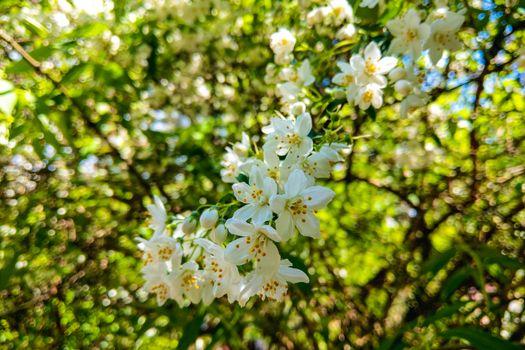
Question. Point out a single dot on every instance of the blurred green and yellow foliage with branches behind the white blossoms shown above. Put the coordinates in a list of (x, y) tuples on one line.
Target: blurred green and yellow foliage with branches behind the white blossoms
[(422, 247)]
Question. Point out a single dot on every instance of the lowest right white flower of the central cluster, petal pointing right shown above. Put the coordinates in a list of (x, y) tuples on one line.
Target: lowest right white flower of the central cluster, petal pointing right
[(270, 279)]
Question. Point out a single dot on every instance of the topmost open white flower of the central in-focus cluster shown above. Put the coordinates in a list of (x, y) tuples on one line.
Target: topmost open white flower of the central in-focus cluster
[(289, 136)]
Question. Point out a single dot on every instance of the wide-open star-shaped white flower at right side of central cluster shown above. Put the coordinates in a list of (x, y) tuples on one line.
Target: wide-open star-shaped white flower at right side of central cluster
[(297, 205)]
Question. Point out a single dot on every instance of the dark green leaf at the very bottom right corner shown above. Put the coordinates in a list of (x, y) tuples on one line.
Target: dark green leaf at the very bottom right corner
[(479, 339)]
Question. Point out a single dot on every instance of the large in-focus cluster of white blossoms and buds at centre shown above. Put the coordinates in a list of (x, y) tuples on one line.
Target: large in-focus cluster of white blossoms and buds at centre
[(280, 196)]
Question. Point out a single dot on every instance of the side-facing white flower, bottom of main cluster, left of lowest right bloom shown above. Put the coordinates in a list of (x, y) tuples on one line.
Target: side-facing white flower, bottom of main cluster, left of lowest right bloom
[(222, 272)]
